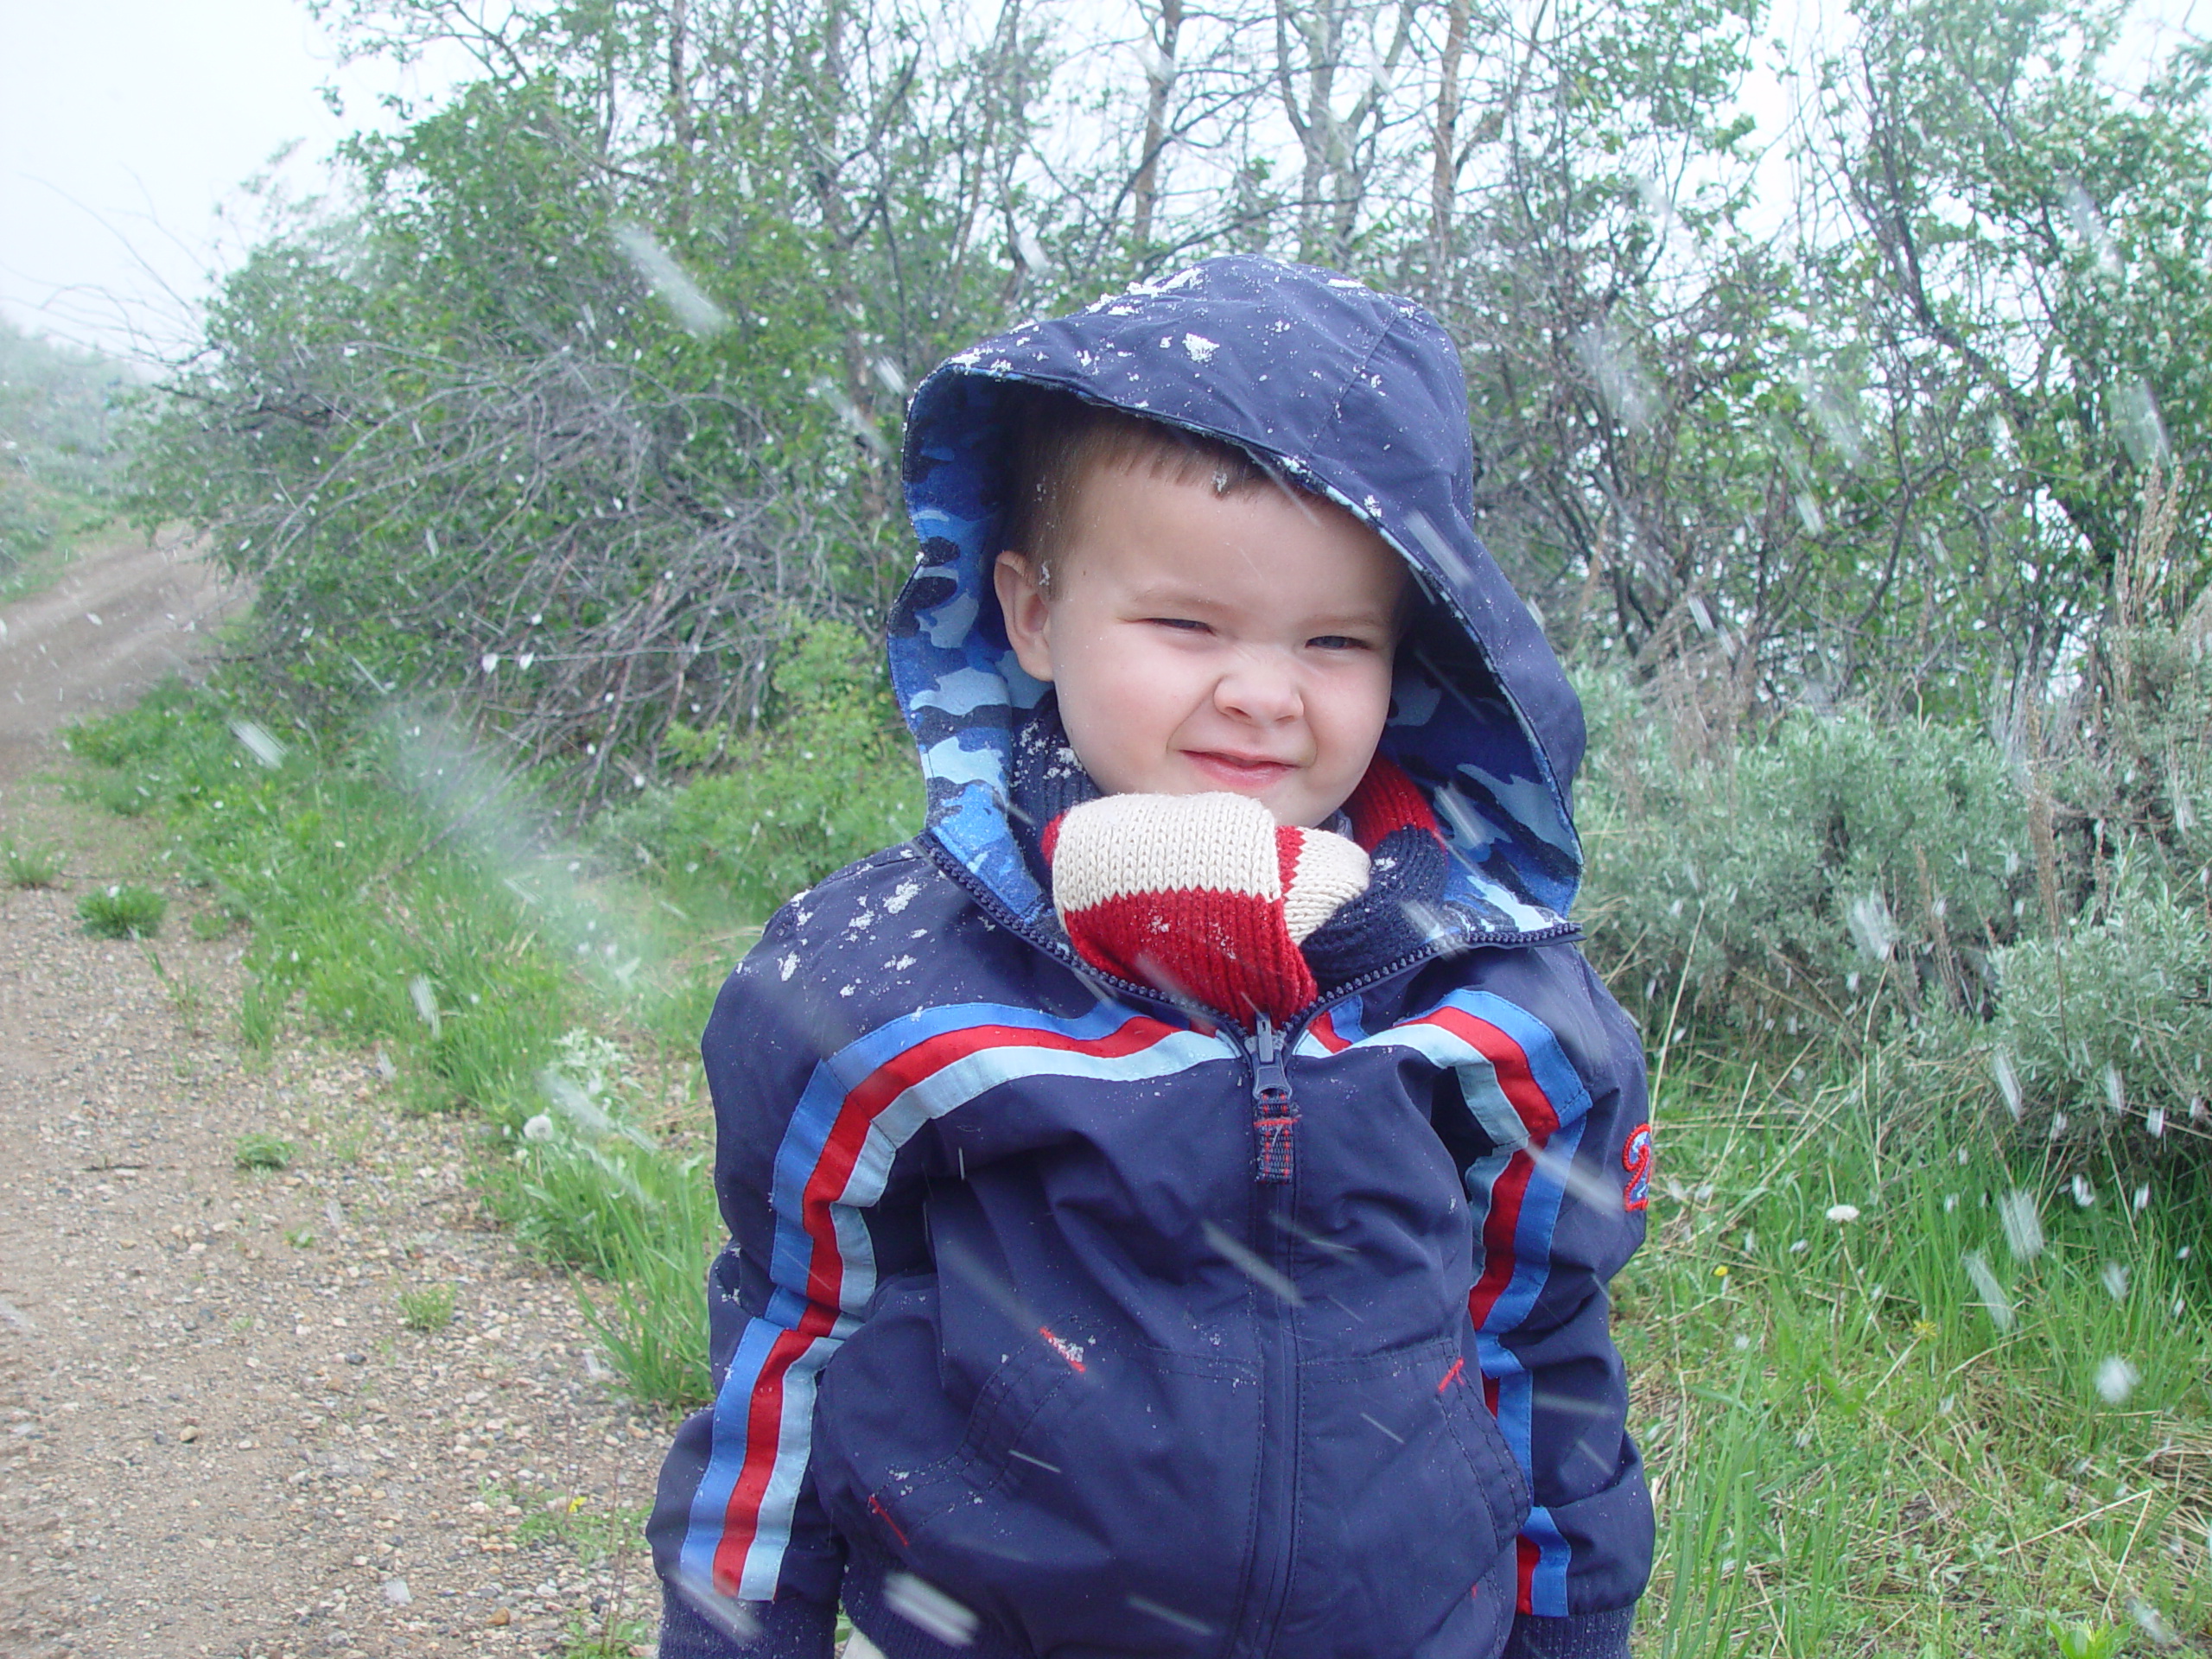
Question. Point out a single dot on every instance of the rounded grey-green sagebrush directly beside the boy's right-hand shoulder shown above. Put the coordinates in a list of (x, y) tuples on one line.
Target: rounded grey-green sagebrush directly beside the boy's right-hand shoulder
[(1830, 873)]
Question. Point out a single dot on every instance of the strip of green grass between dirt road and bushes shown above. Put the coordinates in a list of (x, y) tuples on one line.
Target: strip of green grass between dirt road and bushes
[(406, 899)]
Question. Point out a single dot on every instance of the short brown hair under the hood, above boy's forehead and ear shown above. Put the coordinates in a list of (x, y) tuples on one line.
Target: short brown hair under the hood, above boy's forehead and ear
[(1058, 441)]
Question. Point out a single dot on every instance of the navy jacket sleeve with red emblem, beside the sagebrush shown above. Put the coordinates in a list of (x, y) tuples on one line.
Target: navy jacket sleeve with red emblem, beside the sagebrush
[(1558, 1209)]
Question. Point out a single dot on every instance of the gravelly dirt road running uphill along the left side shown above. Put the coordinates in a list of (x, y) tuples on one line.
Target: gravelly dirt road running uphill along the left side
[(218, 1437)]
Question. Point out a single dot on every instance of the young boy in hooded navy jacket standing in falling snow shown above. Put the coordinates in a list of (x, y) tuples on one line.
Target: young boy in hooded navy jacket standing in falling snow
[(1171, 1198)]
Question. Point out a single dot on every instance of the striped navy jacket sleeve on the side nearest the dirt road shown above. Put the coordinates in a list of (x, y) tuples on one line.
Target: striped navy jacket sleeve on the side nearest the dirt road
[(747, 1554)]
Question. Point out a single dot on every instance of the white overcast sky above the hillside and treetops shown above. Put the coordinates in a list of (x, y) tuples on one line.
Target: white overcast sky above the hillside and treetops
[(127, 125)]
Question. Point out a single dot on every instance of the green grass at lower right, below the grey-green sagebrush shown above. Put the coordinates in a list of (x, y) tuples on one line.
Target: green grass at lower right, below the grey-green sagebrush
[(1857, 1450)]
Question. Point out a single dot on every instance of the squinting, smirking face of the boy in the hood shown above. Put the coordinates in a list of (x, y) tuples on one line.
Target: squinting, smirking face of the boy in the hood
[(1213, 643)]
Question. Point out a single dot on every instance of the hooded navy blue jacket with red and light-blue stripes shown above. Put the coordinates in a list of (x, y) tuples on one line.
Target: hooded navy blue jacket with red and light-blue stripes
[(1014, 1350)]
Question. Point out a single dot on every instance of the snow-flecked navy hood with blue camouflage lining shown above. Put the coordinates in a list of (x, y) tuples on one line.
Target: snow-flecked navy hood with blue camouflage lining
[(1350, 395)]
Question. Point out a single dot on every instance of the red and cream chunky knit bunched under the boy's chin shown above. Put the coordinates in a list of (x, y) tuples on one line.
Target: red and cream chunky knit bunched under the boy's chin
[(1200, 895)]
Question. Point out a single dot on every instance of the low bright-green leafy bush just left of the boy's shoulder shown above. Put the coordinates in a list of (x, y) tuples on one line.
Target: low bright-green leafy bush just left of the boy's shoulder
[(828, 782)]
